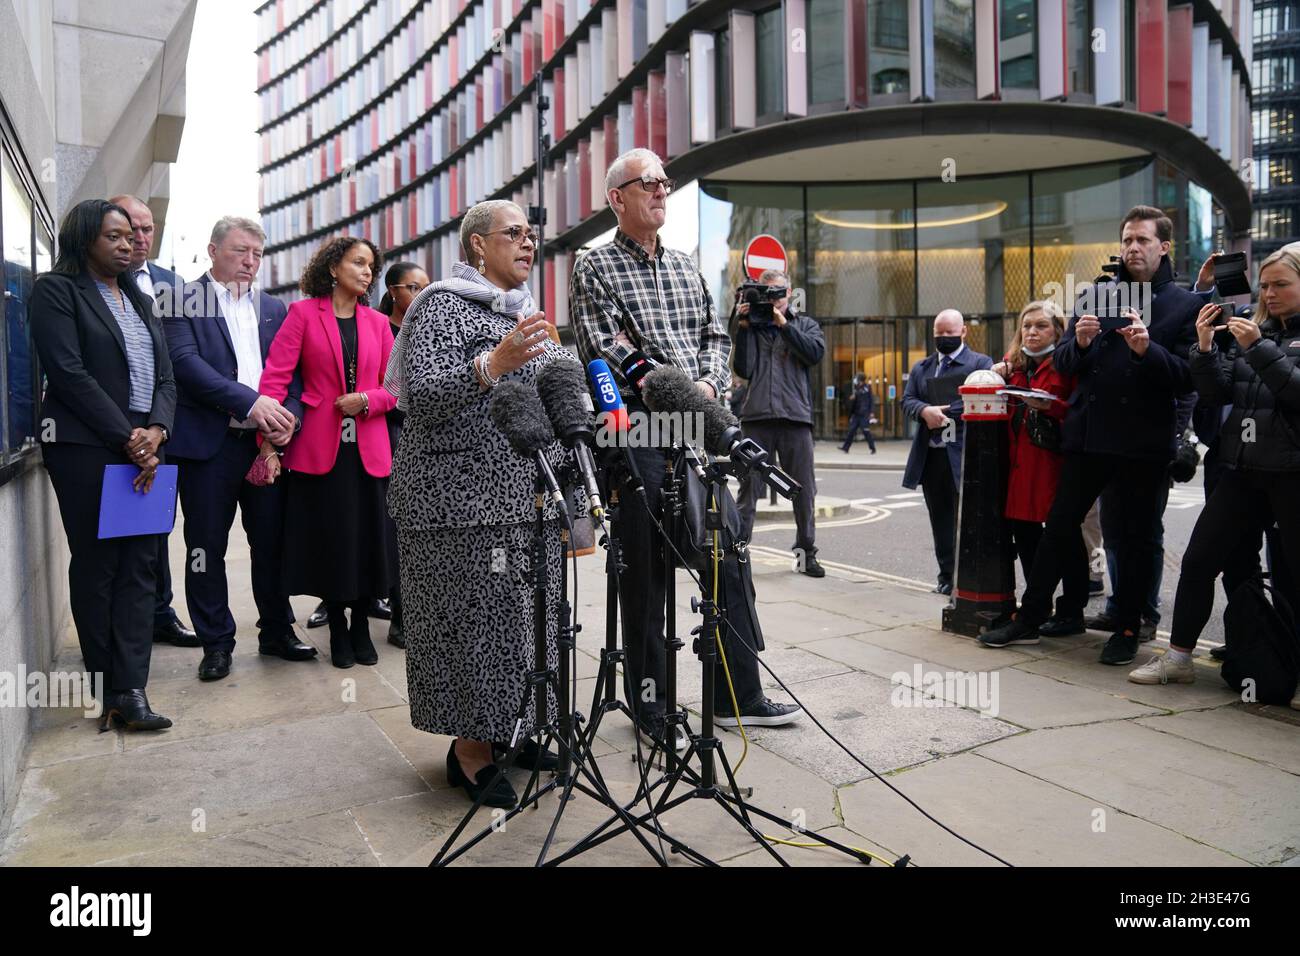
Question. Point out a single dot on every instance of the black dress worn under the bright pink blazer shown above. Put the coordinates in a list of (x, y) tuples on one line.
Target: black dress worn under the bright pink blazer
[(337, 539)]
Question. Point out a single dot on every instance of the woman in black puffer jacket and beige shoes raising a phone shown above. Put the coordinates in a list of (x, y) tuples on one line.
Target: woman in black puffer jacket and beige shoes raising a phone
[(1260, 449)]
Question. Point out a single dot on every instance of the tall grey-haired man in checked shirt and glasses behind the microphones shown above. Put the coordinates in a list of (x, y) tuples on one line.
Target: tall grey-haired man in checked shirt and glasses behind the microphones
[(634, 295)]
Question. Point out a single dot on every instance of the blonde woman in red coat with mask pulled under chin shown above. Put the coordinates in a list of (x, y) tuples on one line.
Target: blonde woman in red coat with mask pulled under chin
[(1035, 455)]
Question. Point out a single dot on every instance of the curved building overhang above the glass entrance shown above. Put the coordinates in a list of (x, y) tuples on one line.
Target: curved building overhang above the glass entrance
[(985, 139)]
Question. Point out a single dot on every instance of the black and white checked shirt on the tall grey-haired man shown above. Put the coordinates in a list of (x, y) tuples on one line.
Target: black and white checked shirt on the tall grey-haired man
[(661, 302)]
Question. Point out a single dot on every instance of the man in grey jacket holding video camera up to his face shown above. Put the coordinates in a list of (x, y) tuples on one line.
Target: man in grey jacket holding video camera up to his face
[(775, 349)]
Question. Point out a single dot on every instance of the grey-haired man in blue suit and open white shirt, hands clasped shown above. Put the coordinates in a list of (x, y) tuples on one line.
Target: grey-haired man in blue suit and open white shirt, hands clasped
[(219, 340)]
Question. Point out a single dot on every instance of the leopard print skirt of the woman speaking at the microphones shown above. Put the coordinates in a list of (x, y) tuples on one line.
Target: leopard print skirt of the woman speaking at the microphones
[(470, 626)]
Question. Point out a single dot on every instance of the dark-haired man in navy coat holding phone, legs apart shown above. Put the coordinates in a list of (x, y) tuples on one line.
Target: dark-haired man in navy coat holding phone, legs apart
[(1120, 434)]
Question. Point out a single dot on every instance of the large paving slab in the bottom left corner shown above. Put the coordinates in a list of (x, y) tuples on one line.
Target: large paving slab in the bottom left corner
[(103, 808)]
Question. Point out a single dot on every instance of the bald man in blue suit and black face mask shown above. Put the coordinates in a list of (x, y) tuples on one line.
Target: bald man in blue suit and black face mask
[(935, 461)]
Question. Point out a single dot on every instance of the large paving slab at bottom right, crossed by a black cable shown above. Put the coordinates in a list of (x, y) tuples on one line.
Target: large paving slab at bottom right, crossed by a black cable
[(1021, 819)]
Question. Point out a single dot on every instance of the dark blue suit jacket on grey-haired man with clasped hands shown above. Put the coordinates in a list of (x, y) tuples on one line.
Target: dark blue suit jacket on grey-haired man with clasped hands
[(207, 374)]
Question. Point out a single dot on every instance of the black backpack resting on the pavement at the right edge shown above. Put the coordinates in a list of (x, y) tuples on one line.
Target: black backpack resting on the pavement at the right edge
[(1263, 643)]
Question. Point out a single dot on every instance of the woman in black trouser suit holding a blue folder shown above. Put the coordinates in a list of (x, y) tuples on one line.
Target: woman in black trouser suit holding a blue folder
[(110, 401)]
